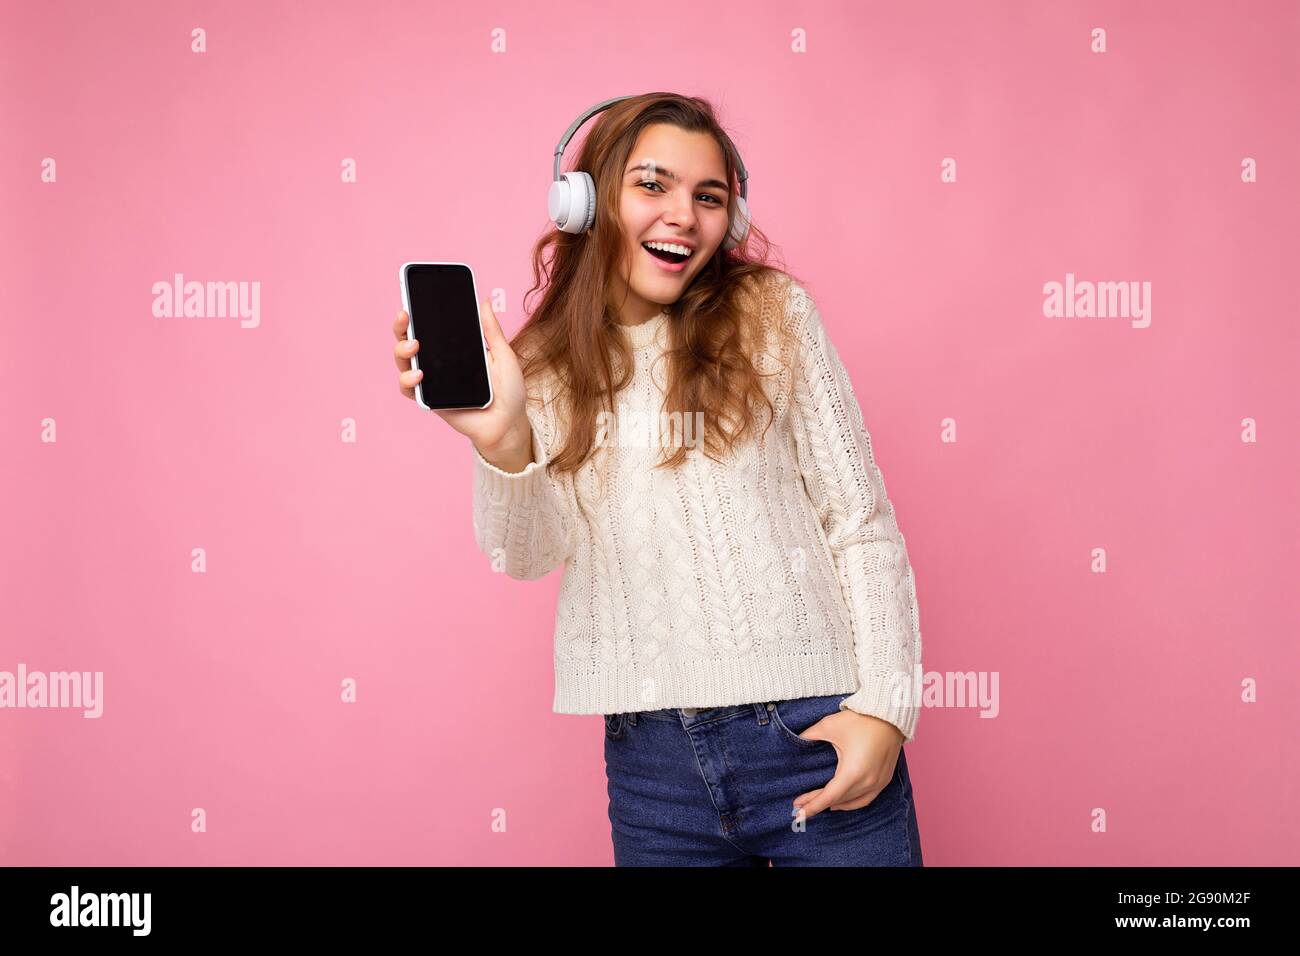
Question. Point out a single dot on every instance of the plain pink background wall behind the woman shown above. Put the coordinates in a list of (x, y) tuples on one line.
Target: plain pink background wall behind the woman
[(327, 560)]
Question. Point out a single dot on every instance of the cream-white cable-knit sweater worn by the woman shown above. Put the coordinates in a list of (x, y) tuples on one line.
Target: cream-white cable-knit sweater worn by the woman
[(778, 574)]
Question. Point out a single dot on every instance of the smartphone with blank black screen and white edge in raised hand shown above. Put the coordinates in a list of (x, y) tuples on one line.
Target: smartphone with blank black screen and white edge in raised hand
[(441, 302)]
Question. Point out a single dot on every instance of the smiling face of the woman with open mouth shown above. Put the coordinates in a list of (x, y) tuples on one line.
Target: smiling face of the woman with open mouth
[(674, 191)]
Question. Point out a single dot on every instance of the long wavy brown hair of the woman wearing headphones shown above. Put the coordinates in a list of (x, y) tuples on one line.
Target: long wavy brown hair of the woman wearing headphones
[(573, 336)]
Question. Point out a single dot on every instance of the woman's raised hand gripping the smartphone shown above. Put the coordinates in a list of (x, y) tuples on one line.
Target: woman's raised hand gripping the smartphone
[(501, 432)]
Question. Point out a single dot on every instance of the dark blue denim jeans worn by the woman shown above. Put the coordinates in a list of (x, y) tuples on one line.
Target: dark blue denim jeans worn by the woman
[(716, 788)]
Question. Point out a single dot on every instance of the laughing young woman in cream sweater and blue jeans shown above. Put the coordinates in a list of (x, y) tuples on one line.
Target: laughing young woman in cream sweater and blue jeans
[(738, 599)]
